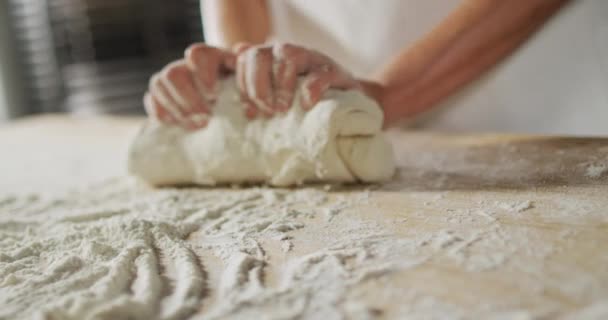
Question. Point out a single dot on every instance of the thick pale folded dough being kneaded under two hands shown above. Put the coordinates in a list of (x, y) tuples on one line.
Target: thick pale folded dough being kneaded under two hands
[(339, 140)]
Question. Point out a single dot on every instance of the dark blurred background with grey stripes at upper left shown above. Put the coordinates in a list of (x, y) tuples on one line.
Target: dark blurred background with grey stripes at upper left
[(88, 56)]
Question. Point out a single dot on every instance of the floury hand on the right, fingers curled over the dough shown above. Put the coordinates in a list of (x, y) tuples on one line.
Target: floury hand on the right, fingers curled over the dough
[(267, 77)]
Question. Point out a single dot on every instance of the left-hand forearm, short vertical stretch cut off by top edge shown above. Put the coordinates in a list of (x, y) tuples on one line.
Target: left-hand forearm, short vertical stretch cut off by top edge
[(227, 22)]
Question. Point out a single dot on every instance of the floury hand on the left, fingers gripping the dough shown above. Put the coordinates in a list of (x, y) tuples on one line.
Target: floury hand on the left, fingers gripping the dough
[(184, 92)]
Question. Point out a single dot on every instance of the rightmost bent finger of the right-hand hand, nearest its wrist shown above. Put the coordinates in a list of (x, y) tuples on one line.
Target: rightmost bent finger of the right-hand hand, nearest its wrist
[(318, 82)]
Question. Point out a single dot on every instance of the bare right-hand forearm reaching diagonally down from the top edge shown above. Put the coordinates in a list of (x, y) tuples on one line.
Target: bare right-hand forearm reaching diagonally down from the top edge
[(477, 35)]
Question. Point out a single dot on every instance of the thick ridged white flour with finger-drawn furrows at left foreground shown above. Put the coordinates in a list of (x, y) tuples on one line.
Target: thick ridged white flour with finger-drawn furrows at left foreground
[(119, 251)]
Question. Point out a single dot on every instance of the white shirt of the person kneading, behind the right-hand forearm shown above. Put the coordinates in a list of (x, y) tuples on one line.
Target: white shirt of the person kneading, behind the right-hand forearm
[(557, 83)]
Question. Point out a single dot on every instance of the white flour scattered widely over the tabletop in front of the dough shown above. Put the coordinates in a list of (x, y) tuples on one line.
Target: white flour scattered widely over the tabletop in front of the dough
[(119, 250)]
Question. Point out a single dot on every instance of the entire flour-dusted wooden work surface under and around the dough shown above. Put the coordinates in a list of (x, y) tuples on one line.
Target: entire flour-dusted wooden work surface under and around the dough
[(472, 227)]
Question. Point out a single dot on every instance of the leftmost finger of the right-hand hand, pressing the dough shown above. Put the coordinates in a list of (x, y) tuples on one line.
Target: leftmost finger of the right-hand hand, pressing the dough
[(258, 78)]
